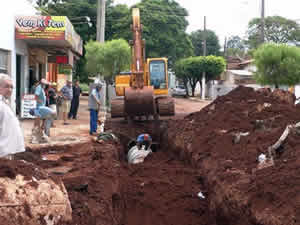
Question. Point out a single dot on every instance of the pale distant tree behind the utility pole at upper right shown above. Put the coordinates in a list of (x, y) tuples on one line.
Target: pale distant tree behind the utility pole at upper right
[(277, 30)]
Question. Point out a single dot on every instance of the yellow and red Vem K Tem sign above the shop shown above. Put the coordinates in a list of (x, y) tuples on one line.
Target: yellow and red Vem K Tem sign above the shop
[(40, 27)]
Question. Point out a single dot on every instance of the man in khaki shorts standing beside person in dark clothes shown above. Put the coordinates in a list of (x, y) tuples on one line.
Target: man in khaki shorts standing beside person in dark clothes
[(67, 94)]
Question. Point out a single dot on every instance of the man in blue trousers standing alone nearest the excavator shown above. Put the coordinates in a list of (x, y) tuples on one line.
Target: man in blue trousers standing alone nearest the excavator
[(94, 106)]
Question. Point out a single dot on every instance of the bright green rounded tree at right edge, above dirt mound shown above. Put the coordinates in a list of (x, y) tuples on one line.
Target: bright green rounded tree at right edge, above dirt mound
[(277, 64)]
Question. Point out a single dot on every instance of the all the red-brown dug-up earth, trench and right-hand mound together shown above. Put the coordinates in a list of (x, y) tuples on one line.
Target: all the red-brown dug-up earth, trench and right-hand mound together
[(197, 154)]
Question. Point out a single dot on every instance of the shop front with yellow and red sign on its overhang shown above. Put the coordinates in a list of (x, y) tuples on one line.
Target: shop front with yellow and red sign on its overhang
[(50, 43)]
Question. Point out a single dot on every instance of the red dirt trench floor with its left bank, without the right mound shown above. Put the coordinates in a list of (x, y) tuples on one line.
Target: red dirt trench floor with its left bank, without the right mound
[(104, 189)]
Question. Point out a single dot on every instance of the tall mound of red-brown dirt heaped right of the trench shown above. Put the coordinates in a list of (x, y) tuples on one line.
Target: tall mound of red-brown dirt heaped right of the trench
[(238, 192)]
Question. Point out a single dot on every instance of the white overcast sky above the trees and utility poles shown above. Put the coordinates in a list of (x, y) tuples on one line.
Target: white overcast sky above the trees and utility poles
[(231, 17)]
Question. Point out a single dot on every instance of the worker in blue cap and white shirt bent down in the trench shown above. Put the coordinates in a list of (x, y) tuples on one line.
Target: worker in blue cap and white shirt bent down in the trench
[(139, 149)]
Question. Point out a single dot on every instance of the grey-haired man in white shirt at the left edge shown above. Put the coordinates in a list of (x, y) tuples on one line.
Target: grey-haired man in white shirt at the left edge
[(11, 136)]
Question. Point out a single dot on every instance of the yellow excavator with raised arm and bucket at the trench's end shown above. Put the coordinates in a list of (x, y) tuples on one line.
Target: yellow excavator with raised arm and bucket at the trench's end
[(144, 90)]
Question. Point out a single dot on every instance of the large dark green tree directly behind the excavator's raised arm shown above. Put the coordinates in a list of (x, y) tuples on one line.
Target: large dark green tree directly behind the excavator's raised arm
[(164, 24)]
